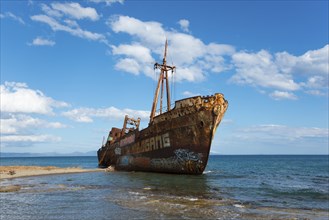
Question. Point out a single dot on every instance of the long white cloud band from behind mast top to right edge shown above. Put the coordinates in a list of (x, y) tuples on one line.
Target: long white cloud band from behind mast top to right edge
[(277, 74)]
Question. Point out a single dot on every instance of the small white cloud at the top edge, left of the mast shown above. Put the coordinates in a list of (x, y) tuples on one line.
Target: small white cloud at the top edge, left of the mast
[(75, 11)]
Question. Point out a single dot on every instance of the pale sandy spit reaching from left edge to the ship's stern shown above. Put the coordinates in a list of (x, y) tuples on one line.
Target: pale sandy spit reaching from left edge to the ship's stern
[(11, 172)]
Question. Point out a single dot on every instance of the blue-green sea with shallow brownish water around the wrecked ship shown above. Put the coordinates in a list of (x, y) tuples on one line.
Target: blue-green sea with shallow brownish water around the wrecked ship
[(232, 187)]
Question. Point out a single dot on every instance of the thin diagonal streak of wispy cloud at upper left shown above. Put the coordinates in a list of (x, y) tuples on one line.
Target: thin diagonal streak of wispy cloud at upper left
[(75, 31)]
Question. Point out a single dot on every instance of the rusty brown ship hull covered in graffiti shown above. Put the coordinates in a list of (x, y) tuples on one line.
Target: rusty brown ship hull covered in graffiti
[(177, 141)]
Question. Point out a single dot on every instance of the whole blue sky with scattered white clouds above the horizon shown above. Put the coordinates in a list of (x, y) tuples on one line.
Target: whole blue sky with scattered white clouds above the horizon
[(70, 70)]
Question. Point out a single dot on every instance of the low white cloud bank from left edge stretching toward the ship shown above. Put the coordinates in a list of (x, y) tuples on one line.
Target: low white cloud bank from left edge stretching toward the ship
[(23, 110)]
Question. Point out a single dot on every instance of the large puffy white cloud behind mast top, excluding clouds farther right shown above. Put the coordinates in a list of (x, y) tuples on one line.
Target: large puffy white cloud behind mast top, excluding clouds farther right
[(190, 55)]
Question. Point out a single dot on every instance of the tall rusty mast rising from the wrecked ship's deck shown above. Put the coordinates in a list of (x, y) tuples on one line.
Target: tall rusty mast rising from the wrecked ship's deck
[(164, 68)]
